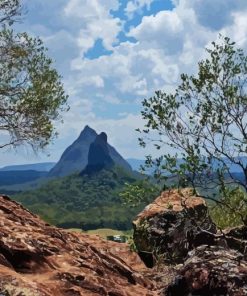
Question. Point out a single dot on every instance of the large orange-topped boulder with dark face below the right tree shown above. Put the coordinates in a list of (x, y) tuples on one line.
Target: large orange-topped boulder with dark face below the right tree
[(171, 226)]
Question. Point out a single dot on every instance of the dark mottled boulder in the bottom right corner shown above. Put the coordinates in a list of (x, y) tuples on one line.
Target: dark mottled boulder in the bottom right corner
[(211, 271)]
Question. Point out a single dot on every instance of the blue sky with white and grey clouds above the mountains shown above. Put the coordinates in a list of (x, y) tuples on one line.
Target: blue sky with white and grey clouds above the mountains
[(114, 53)]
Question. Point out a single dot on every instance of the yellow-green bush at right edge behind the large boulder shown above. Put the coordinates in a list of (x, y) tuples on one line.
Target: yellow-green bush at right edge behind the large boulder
[(232, 211)]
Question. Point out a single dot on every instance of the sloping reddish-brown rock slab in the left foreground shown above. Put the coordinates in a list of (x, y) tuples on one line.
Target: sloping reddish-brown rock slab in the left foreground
[(41, 260)]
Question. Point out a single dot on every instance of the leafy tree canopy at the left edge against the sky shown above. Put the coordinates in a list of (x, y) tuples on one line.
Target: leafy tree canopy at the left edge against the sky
[(31, 92)]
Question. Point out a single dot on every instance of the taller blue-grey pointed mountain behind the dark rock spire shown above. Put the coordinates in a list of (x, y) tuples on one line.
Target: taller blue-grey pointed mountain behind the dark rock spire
[(75, 157)]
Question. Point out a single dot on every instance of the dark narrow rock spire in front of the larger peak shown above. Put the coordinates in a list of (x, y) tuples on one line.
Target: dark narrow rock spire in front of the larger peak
[(98, 156)]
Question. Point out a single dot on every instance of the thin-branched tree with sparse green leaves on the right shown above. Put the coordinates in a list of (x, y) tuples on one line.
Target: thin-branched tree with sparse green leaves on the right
[(204, 124)]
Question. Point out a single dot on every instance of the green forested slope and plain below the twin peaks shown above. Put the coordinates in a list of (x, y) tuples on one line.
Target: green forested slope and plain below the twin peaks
[(86, 202)]
